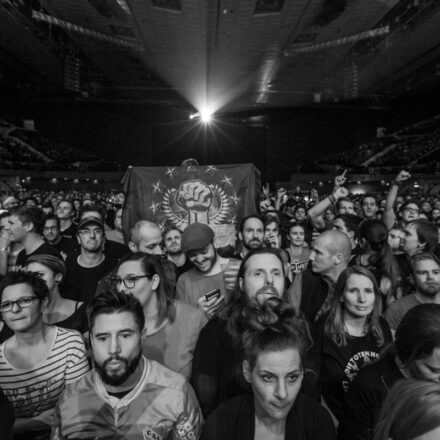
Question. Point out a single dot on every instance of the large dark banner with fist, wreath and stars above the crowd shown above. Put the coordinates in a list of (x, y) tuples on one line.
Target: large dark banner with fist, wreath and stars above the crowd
[(218, 195)]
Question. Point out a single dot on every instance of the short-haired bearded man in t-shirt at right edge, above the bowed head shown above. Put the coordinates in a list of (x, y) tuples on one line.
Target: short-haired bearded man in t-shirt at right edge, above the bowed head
[(426, 276)]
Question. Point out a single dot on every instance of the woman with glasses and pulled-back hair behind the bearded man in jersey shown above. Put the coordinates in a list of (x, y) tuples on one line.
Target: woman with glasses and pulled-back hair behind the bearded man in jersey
[(171, 326)]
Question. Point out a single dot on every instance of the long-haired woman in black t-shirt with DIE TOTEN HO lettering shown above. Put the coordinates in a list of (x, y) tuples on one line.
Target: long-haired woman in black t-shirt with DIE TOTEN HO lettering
[(351, 336)]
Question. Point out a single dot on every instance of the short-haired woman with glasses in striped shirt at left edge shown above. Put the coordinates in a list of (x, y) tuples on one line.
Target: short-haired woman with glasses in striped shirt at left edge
[(38, 360)]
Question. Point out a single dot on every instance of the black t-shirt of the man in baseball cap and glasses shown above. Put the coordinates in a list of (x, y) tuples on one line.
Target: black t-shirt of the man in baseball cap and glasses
[(81, 282)]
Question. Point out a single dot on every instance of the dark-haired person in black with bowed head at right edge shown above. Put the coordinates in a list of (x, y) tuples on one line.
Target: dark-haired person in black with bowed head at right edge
[(414, 354)]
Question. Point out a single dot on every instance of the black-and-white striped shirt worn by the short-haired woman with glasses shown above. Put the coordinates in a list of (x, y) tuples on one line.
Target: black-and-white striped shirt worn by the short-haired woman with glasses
[(34, 390)]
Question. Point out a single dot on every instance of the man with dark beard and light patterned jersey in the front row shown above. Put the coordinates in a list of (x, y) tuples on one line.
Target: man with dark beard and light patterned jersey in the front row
[(126, 396)]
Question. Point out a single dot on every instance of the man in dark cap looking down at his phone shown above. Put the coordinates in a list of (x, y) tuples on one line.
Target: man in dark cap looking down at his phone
[(206, 276)]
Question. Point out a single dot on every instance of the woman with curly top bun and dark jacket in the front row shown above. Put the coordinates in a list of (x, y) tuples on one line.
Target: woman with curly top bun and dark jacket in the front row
[(274, 344)]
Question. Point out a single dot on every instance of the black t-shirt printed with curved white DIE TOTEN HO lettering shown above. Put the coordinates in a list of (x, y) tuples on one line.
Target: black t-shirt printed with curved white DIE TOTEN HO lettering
[(338, 366)]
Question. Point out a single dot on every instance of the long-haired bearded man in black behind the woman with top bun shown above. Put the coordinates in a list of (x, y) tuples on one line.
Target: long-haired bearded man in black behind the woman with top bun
[(217, 360)]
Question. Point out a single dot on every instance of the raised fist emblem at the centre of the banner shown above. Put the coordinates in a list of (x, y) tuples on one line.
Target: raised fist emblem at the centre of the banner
[(196, 197)]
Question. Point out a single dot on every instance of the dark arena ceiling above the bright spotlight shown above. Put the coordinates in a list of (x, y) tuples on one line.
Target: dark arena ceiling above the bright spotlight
[(220, 55)]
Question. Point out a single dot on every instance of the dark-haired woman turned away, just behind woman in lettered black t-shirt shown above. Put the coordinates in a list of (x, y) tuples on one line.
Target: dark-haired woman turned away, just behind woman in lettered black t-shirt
[(379, 258)]
